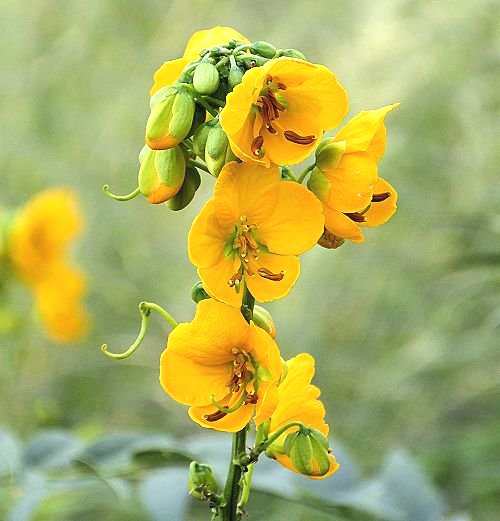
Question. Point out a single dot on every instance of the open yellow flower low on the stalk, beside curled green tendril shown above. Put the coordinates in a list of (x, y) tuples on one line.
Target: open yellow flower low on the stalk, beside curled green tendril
[(219, 358)]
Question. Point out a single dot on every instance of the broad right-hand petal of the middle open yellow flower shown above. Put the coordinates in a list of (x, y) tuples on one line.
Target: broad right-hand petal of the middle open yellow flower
[(296, 223)]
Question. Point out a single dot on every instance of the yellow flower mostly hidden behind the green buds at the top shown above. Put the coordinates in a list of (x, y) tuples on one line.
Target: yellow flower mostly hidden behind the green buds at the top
[(171, 70)]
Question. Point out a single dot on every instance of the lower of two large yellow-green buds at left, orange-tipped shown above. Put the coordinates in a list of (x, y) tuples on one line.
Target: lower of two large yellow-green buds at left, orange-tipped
[(161, 174)]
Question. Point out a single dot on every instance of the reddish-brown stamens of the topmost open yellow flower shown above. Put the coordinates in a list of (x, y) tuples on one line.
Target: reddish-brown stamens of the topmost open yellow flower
[(269, 107)]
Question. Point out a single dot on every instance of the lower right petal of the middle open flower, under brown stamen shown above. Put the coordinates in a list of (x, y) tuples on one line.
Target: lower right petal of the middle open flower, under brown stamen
[(265, 290)]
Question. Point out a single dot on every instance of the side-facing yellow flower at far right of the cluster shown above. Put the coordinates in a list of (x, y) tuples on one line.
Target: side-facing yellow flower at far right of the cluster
[(346, 179)]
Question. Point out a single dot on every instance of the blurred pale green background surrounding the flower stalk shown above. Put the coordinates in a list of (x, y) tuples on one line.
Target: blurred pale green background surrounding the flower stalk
[(405, 328)]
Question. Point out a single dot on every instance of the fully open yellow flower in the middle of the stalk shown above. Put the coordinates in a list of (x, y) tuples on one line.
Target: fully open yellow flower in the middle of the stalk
[(251, 232)]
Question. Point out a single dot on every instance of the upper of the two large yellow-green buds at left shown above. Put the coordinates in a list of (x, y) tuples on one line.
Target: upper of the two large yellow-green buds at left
[(171, 117)]
